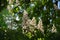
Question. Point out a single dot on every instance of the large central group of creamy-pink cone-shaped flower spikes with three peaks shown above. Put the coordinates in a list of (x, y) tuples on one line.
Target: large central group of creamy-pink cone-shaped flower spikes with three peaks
[(29, 24)]
